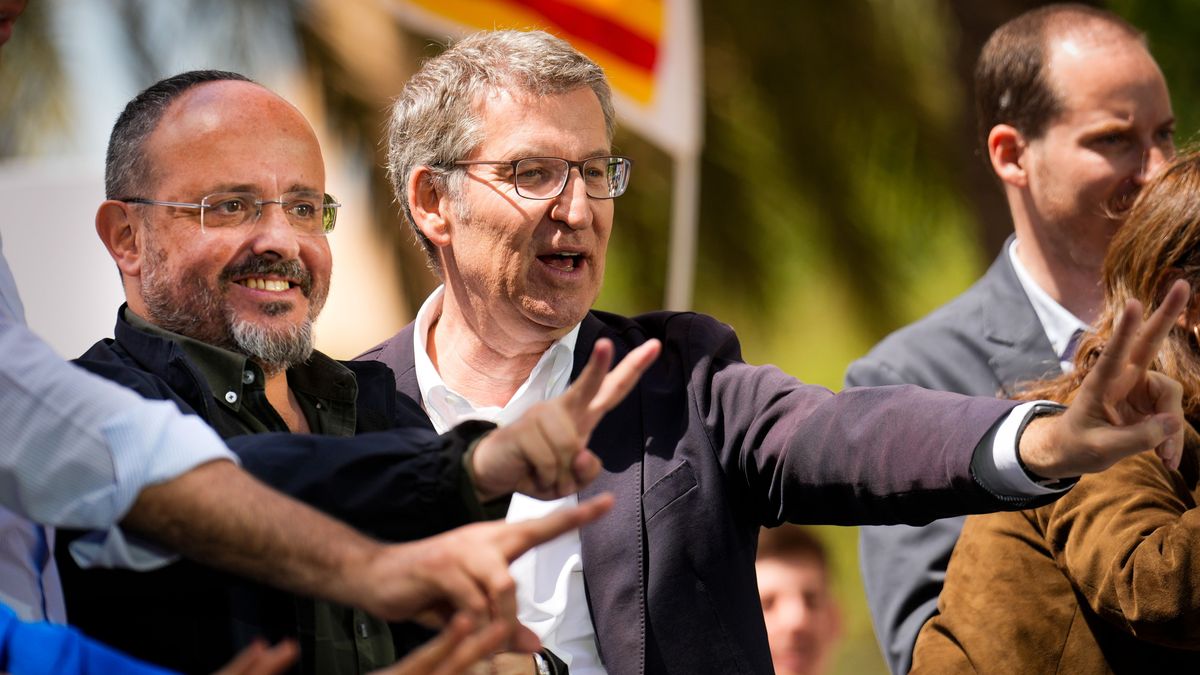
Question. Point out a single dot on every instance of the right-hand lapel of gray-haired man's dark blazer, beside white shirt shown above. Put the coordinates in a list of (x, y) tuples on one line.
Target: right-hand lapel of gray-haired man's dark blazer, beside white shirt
[(614, 547)]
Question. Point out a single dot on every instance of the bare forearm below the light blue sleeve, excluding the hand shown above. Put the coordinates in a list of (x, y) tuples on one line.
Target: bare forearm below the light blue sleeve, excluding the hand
[(223, 517)]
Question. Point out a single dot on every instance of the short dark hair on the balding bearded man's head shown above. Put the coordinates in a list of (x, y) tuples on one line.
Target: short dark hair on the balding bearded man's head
[(127, 168)]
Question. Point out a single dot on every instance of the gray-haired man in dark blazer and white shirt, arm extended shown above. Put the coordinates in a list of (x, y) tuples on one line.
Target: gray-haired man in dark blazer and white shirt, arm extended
[(501, 154)]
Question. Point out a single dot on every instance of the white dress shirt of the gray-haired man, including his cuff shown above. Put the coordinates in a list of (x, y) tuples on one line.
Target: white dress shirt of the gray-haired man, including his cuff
[(550, 578)]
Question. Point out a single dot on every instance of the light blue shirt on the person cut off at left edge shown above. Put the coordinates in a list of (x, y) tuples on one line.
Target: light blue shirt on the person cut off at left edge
[(75, 452)]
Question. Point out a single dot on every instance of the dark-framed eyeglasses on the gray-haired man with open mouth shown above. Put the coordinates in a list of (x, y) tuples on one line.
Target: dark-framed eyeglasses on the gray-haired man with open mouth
[(545, 178)]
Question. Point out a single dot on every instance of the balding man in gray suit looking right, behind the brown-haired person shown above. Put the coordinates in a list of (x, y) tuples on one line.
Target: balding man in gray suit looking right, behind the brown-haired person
[(1075, 116)]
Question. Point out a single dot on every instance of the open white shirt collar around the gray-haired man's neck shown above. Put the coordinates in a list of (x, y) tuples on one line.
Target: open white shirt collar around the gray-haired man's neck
[(447, 409)]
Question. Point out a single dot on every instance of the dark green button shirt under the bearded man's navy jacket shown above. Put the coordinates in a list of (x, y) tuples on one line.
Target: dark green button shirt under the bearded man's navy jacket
[(334, 640)]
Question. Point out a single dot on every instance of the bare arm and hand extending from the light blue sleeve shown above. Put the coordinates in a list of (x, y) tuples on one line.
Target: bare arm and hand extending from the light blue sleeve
[(221, 516)]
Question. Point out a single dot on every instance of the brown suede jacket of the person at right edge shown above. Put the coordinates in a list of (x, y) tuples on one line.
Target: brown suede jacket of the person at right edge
[(1105, 581)]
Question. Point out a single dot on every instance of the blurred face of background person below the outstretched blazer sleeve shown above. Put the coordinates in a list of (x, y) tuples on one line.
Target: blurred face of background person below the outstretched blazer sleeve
[(803, 619)]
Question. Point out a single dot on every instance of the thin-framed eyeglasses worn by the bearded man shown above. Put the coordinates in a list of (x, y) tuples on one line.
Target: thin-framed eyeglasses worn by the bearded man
[(314, 214)]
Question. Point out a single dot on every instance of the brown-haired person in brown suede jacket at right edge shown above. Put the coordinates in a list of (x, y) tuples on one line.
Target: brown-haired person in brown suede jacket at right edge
[(1103, 581)]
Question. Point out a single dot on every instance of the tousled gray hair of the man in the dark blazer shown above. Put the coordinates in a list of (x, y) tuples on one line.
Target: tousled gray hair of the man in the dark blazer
[(435, 122)]
